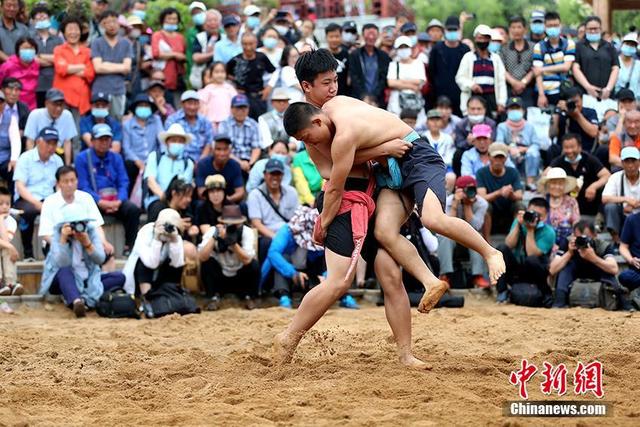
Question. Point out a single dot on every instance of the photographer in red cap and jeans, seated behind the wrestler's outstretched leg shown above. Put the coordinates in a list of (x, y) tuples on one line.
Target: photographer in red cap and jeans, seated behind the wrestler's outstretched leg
[(465, 204)]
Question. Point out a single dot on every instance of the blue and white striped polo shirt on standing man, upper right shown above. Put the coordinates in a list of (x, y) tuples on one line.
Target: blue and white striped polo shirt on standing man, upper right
[(545, 55)]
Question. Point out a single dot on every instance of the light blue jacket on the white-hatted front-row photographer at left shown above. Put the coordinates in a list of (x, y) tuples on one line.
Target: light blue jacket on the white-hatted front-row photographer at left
[(61, 256)]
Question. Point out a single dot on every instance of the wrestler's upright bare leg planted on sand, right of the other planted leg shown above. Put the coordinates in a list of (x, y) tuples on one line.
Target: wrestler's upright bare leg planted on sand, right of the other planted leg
[(397, 308)]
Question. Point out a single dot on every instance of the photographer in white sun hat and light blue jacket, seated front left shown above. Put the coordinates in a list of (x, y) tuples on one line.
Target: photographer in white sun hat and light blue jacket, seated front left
[(72, 266)]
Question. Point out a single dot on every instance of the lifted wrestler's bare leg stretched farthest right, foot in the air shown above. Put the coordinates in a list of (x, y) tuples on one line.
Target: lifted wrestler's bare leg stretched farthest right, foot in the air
[(434, 218)]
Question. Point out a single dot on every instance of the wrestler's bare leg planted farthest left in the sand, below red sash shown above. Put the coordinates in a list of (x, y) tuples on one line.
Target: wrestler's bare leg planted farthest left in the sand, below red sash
[(314, 304)]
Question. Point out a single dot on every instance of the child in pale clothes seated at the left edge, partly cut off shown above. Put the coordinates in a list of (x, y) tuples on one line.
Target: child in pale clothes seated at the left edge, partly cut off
[(8, 253)]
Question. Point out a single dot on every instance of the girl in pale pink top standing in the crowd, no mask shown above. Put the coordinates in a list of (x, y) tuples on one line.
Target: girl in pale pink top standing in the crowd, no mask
[(216, 96)]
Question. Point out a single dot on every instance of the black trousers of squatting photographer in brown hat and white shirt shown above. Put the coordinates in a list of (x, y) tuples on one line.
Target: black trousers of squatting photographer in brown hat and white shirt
[(243, 284)]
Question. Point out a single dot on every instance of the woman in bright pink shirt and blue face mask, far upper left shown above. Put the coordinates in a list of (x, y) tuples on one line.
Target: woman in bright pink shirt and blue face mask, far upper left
[(23, 66)]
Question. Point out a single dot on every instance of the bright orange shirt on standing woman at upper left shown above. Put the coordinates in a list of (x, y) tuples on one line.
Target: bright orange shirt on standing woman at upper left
[(76, 89)]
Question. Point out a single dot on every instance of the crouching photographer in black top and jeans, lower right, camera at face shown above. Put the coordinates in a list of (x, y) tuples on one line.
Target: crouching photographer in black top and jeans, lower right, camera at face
[(587, 258)]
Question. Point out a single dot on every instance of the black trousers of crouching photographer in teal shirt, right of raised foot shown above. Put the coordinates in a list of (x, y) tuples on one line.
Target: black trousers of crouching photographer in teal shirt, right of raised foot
[(534, 269)]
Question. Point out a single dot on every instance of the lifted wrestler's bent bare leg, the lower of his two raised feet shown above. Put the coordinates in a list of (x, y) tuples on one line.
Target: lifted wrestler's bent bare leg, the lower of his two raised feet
[(391, 213)]
